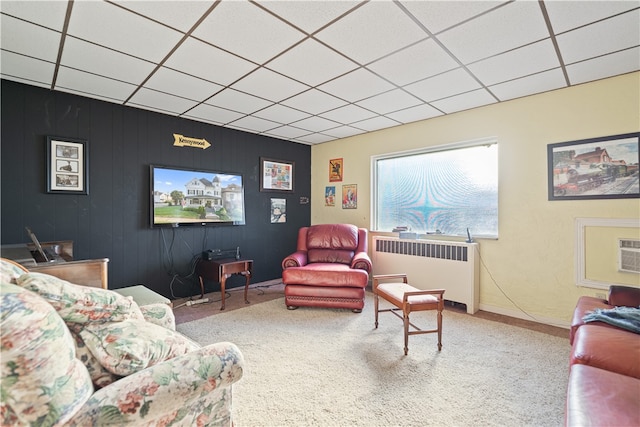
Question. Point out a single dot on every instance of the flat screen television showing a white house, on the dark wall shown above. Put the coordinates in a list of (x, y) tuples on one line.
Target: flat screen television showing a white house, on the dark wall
[(195, 197)]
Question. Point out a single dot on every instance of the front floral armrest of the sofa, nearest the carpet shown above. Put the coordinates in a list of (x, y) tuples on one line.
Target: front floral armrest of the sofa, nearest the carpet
[(194, 389)]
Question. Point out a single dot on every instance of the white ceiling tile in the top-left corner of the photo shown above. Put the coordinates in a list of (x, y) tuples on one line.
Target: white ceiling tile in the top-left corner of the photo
[(49, 14)]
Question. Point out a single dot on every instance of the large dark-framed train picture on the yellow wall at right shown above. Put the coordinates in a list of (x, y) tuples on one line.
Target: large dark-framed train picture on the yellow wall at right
[(596, 168)]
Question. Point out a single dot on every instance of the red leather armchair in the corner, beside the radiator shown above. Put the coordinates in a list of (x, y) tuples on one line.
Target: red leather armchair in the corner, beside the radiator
[(330, 268)]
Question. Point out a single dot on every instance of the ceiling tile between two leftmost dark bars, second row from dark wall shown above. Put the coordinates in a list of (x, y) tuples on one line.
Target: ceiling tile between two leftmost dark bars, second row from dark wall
[(99, 60)]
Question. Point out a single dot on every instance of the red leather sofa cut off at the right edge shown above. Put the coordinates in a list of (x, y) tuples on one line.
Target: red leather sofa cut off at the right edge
[(604, 376)]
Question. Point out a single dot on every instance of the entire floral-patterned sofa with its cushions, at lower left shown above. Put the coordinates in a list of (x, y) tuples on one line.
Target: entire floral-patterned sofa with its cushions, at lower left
[(80, 356)]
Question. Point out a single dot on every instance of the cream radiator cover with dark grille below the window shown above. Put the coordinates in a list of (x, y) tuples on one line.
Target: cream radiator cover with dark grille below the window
[(432, 264)]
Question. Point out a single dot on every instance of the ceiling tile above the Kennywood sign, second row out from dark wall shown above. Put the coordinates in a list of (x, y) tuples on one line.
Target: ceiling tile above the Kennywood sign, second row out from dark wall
[(180, 84)]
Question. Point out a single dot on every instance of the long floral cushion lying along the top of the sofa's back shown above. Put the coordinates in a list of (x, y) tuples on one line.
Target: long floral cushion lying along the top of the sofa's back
[(81, 304)]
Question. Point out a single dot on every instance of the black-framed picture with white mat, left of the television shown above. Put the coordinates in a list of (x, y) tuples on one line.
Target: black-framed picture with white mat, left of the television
[(67, 169)]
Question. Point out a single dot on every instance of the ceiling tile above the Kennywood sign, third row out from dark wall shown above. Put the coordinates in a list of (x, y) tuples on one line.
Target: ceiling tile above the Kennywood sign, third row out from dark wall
[(207, 62)]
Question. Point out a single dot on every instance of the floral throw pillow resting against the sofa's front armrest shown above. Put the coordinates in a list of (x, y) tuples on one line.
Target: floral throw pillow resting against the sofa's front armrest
[(126, 347)]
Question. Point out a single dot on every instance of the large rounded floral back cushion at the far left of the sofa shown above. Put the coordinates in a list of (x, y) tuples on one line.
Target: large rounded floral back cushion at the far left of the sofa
[(43, 383)]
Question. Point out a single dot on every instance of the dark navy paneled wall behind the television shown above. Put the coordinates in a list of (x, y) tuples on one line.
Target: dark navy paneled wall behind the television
[(113, 219)]
